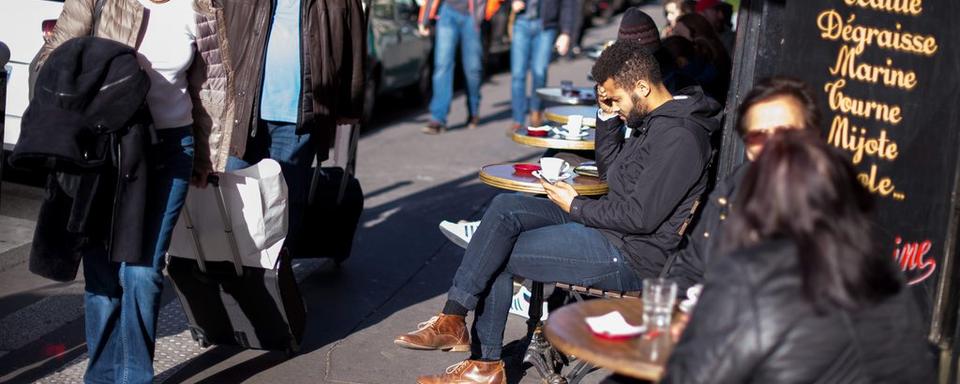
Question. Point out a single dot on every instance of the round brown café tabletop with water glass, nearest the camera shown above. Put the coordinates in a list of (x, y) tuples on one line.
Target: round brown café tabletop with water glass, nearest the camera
[(640, 357)]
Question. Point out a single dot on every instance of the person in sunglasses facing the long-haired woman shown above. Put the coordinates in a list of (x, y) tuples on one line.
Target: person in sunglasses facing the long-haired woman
[(774, 104)]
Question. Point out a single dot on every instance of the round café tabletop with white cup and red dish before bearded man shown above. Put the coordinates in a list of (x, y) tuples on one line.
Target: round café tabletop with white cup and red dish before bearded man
[(503, 176)]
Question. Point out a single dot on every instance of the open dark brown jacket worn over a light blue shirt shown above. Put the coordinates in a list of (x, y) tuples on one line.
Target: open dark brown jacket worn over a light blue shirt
[(333, 58)]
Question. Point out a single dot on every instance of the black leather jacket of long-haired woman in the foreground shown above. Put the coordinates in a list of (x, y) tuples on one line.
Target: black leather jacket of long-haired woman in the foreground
[(753, 324)]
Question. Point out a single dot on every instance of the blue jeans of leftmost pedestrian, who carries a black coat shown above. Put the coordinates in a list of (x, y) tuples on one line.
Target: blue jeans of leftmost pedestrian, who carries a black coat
[(122, 299)]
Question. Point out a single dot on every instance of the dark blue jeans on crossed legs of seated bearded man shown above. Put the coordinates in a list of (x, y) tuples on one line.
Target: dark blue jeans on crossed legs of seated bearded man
[(532, 238)]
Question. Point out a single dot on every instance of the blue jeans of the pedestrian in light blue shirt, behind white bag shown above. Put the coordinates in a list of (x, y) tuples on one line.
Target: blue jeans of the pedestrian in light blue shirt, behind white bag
[(295, 153)]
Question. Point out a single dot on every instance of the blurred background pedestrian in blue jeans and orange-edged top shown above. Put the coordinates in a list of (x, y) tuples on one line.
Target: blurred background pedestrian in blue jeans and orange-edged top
[(458, 22)]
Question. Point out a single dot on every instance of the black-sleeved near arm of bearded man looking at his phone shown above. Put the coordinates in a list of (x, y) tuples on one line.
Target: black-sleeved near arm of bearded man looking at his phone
[(654, 189)]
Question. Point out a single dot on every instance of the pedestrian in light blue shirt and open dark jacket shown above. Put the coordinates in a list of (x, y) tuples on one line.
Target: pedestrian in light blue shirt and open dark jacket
[(295, 82)]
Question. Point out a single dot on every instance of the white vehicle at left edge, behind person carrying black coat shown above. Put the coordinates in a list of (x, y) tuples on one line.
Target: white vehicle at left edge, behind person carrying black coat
[(22, 27)]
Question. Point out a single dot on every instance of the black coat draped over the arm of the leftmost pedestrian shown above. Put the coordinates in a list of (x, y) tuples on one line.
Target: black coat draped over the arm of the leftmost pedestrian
[(87, 122)]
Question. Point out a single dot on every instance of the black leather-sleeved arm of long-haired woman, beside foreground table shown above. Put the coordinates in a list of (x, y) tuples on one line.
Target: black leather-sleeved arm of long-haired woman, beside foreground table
[(722, 341)]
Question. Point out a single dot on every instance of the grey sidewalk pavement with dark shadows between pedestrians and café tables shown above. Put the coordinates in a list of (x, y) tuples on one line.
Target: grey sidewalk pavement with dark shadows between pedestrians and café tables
[(398, 275)]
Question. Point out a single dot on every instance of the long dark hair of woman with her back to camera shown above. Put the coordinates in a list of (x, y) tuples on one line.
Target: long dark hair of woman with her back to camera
[(801, 189)]
